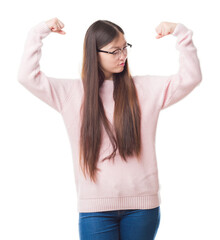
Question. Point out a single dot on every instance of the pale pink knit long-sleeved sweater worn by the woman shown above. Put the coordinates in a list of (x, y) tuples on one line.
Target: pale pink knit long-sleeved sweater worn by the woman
[(131, 185)]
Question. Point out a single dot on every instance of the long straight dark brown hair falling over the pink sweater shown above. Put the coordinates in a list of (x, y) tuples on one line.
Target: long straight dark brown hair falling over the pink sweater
[(125, 132)]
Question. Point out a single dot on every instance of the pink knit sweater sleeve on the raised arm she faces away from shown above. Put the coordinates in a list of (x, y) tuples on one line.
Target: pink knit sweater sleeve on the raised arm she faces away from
[(53, 91)]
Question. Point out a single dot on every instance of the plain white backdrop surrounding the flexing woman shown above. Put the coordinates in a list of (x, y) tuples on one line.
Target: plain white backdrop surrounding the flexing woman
[(37, 191)]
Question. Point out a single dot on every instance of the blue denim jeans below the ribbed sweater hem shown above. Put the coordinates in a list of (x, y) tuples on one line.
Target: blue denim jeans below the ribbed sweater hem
[(132, 224)]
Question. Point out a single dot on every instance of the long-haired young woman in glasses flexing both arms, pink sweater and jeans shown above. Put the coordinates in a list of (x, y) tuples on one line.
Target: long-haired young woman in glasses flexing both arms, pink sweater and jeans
[(111, 120)]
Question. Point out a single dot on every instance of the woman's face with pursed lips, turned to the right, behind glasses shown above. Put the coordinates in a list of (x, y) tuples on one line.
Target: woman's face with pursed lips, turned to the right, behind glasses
[(109, 63)]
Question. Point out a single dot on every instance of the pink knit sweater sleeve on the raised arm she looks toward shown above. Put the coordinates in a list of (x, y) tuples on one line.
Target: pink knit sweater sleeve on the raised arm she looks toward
[(189, 75)]
